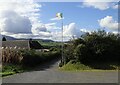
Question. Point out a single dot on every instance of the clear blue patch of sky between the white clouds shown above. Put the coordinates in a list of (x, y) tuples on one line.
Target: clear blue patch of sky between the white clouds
[(84, 17)]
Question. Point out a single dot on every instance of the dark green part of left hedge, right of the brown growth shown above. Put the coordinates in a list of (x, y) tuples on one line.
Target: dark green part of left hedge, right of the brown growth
[(32, 58)]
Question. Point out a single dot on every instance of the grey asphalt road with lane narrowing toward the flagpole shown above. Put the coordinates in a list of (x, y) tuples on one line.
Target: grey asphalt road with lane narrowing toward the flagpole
[(49, 73)]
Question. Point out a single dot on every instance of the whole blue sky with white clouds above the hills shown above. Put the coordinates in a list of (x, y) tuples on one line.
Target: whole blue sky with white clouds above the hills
[(37, 20)]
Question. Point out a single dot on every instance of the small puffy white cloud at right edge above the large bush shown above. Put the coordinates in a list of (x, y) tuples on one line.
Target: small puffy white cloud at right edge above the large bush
[(108, 22)]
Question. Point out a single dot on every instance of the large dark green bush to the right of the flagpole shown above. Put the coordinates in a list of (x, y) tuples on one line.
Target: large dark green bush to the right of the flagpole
[(94, 48)]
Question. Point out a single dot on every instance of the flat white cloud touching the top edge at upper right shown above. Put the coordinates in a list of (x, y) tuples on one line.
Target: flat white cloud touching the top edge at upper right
[(101, 5)]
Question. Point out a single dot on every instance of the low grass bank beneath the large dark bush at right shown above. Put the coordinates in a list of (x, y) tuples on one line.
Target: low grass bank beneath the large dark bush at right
[(70, 66)]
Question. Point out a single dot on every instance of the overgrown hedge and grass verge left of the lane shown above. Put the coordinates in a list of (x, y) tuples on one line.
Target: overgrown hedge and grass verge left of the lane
[(17, 60)]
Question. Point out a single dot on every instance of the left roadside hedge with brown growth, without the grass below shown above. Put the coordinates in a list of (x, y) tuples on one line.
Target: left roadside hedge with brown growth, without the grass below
[(27, 57)]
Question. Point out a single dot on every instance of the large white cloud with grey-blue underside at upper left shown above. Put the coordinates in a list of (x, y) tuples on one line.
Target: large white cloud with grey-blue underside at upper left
[(16, 15)]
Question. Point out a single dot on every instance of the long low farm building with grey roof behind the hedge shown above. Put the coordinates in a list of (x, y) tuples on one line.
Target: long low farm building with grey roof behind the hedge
[(21, 44)]
